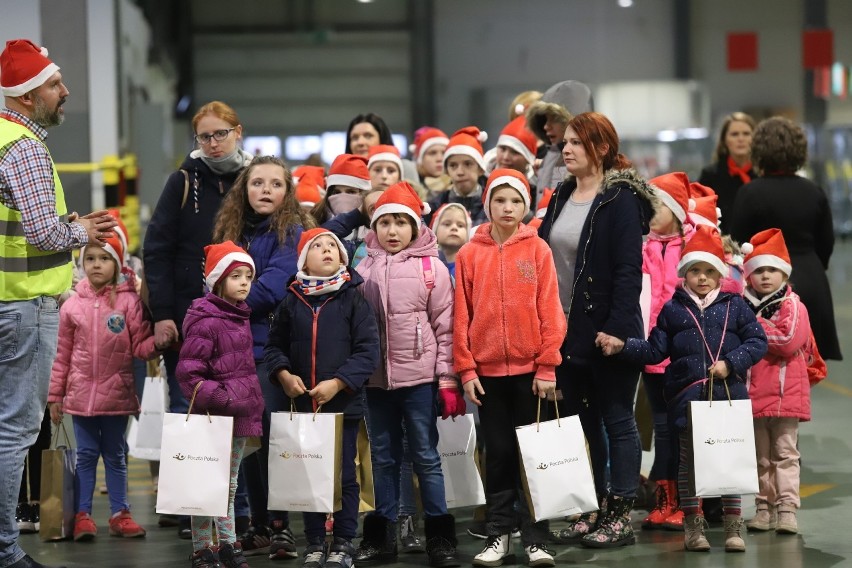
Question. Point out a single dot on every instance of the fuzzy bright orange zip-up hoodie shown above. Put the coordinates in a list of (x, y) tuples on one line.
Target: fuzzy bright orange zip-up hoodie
[(508, 318)]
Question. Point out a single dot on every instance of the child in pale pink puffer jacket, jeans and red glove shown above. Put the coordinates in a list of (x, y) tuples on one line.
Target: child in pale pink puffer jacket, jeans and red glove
[(412, 295)]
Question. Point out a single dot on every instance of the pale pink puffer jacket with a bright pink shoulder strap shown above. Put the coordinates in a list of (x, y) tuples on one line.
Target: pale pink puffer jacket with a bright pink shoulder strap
[(415, 324)]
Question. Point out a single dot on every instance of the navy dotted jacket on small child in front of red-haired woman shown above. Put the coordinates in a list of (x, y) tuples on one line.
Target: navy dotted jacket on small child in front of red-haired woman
[(743, 343)]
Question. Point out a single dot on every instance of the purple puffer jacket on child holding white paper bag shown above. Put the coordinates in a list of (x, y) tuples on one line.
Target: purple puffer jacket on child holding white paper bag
[(217, 352)]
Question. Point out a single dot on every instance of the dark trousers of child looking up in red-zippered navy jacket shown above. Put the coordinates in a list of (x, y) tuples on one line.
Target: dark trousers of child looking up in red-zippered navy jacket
[(346, 519)]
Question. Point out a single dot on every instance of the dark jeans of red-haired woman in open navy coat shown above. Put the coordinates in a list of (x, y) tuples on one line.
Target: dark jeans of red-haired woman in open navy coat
[(603, 392)]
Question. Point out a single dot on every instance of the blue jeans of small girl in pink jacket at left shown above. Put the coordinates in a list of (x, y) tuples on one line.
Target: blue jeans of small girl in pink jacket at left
[(100, 436)]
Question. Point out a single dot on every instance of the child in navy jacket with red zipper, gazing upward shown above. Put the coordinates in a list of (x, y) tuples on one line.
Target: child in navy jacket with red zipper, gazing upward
[(323, 346)]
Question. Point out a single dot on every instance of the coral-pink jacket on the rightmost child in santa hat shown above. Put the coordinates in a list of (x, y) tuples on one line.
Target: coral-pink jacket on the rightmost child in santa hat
[(778, 383)]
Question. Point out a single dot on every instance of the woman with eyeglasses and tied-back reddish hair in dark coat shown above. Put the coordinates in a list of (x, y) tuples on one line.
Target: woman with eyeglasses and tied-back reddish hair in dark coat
[(180, 228)]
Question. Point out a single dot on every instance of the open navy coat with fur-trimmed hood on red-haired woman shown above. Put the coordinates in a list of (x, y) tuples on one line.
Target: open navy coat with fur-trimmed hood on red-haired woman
[(608, 277)]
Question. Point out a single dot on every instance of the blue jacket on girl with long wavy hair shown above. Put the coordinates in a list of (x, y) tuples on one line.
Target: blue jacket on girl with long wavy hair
[(275, 264)]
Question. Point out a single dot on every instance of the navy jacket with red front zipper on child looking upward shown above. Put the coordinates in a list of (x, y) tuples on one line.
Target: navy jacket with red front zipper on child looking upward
[(325, 337)]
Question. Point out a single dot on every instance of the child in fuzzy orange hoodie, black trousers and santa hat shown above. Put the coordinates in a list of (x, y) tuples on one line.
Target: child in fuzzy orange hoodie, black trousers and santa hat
[(508, 330)]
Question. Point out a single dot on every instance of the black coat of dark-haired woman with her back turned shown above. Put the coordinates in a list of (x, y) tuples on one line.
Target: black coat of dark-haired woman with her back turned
[(801, 210)]
